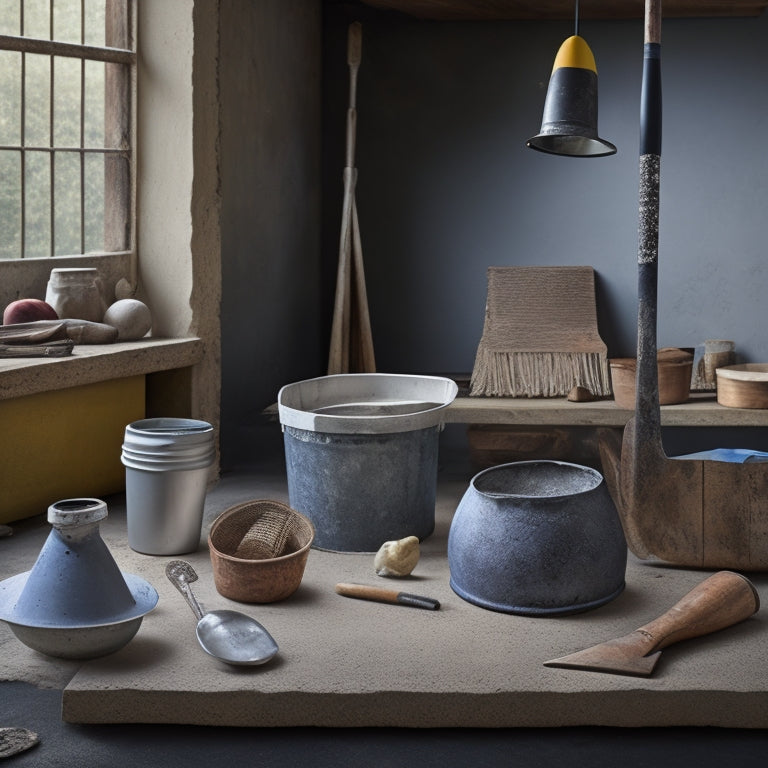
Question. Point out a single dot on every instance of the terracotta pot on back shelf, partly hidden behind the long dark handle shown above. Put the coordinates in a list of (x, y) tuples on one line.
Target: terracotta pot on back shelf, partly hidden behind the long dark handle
[(675, 367)]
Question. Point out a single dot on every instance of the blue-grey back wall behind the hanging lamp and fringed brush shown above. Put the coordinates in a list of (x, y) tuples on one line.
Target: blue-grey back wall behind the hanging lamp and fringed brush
[(447, 187)]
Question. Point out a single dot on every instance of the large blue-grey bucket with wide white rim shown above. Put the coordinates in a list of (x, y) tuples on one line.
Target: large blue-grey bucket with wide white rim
[(361, 455)]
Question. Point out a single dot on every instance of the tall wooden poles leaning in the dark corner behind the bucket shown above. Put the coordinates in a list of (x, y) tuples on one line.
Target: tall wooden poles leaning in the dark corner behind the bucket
[(351, 348)]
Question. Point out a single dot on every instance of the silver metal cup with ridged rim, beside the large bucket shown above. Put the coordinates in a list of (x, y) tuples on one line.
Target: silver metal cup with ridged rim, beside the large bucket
[(166, 477)]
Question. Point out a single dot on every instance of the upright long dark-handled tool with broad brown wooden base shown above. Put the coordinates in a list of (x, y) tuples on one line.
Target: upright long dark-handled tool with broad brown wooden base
[(694, 512)]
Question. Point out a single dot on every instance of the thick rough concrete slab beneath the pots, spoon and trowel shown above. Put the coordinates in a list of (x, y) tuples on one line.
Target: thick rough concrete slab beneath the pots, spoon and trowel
[(346, 662)]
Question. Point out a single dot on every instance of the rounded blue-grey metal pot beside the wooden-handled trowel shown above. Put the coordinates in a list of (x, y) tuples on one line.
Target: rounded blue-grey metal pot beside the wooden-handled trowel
[(537, 538)]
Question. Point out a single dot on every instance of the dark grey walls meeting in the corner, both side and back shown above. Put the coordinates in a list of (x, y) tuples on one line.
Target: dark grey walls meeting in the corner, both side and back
[(447, 188)]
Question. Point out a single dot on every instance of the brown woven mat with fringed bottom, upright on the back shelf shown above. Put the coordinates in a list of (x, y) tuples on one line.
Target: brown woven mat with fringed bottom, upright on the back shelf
[(540, 337)]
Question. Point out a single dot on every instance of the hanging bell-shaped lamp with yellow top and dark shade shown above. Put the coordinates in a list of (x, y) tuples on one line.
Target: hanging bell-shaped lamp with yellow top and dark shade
[(569, 124)]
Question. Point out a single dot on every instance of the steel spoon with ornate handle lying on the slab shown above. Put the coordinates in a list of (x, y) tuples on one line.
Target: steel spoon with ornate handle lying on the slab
[(230, 636)]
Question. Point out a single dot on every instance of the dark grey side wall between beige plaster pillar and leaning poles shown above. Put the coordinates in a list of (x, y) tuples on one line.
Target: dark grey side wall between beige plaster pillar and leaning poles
[(269, 72)]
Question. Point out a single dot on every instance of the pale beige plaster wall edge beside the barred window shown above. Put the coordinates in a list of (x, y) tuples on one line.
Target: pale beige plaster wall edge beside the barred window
[(178, 194)]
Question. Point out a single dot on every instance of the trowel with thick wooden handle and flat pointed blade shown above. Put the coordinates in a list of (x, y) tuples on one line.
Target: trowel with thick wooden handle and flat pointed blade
[(720, 601)]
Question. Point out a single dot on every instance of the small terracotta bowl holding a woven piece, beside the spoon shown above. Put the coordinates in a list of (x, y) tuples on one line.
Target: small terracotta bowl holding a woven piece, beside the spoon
[(245, 571)]
